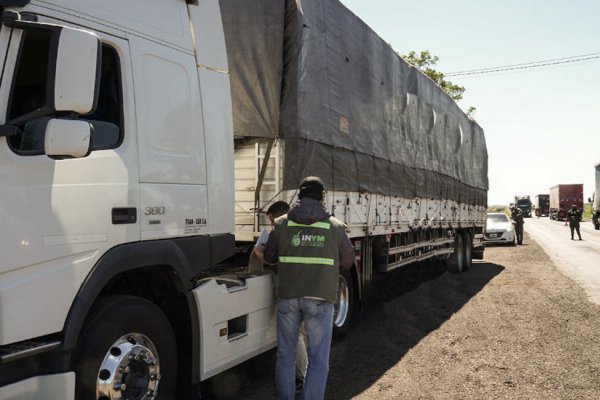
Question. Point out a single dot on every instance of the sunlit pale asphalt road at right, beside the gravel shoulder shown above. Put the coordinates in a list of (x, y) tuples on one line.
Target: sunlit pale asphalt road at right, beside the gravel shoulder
[(579, 260)]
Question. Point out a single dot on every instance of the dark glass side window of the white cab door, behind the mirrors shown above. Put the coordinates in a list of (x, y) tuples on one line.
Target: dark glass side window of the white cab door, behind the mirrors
[(29, 94)]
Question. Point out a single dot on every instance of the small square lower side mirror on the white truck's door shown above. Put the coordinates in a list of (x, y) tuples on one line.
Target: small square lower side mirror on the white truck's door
[(68, 138)]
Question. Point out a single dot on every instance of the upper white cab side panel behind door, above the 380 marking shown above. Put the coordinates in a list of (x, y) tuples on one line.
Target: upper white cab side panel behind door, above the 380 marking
[(170, 134)]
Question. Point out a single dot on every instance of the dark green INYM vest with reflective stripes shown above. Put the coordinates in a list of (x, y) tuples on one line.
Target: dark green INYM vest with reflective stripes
[(308, 260)]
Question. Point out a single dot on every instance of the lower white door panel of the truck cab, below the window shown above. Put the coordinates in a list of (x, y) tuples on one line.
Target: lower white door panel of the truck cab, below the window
[(57, 210)]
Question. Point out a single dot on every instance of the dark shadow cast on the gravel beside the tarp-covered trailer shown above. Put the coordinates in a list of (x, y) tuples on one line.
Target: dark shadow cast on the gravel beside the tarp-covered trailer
[(417, 301)]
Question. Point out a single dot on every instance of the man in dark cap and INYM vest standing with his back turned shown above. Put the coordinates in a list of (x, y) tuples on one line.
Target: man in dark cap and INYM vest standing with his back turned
[(309, 247)]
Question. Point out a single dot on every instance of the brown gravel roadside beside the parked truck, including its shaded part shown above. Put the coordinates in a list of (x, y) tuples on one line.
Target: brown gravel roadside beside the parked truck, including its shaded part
[(512, 327)]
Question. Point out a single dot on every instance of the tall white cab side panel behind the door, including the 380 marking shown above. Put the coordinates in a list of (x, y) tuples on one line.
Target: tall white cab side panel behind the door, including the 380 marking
[(171, 145)]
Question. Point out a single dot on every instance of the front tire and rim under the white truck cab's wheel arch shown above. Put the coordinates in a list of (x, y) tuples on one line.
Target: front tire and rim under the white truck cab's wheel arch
[(127, 350)]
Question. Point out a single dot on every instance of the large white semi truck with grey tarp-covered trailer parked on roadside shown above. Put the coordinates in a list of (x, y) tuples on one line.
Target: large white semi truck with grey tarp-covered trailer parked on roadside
[(128, 182)]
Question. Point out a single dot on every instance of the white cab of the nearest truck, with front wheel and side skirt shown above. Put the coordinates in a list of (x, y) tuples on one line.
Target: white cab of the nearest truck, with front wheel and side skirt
[(116, 191)]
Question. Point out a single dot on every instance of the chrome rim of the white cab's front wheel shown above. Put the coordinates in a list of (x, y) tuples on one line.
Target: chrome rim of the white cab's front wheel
[(130, 370)]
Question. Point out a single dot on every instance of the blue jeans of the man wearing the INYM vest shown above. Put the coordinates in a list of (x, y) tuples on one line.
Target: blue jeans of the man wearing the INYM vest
[(317, 316)]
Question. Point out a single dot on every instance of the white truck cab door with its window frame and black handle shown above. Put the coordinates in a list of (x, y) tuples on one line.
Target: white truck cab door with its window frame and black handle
[(59, 215)]
